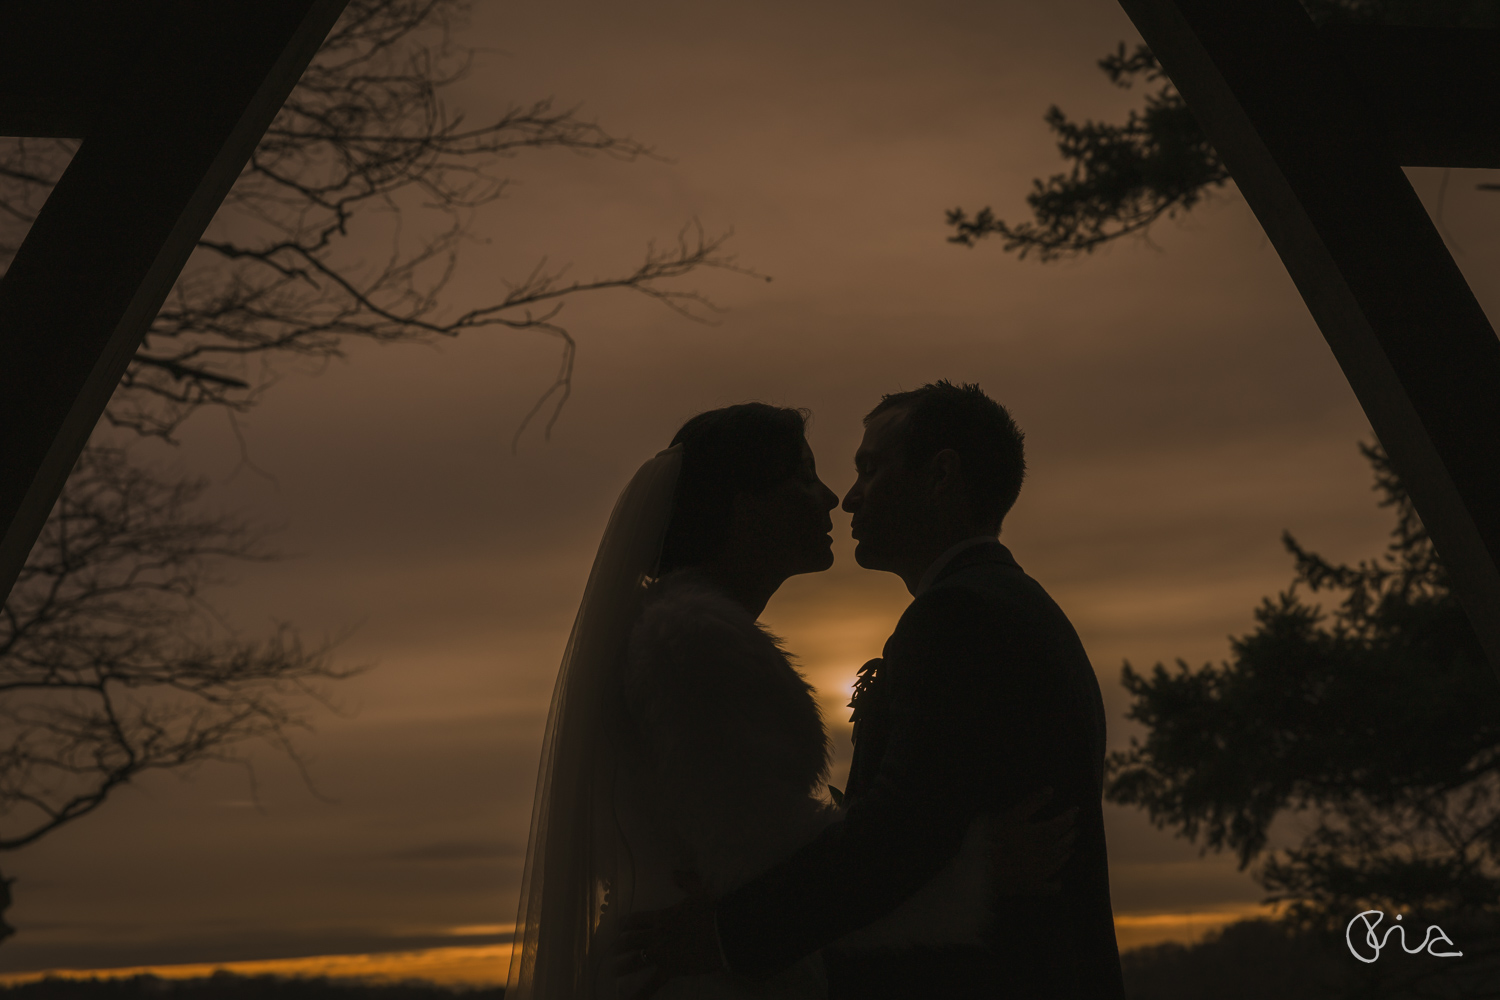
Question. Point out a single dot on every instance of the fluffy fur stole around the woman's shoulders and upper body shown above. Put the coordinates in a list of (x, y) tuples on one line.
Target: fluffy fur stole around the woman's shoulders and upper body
[(733, 752)]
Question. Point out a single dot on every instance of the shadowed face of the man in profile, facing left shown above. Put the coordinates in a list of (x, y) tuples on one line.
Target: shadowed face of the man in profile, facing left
[(887, 500)]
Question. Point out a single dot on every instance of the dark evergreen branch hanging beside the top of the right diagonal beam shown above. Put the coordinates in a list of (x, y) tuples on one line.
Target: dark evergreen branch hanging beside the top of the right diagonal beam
[(1126, 178)]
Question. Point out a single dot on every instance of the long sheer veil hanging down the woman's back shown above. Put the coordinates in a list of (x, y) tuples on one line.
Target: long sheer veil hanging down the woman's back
[(577, 858)]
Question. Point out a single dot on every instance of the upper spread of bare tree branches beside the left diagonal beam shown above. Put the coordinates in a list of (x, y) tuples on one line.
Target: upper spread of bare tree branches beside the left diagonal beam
[(365, 143)]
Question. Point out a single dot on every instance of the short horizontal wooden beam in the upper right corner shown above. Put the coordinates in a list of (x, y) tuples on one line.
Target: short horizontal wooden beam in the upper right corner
[(1435, 94)]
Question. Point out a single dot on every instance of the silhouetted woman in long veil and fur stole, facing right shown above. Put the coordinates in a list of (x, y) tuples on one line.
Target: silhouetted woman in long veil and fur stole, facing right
[(685, 753)]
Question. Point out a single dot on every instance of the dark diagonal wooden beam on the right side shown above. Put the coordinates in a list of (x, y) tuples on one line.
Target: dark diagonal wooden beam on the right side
[(1313, 163)]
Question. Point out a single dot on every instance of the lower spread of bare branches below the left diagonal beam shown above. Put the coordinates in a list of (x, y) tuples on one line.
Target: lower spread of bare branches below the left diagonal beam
[(112, 665)]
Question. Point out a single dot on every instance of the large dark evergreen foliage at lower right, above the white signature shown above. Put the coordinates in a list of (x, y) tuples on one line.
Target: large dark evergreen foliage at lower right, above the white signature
[(1376, 723)]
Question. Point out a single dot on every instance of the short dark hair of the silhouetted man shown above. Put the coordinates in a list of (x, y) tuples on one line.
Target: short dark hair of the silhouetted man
[(962, 418)]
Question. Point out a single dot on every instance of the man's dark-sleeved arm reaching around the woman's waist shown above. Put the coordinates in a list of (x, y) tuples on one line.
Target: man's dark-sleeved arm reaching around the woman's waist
[(959, 743)]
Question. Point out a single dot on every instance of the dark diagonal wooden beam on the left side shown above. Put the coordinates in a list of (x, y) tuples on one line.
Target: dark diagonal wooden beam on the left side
[(160, 157)]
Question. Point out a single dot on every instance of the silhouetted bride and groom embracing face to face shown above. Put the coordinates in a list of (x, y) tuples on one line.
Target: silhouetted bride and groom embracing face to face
[(682, 843)]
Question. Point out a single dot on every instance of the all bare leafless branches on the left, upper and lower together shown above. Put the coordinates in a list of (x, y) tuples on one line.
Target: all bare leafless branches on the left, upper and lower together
[(110, 662)]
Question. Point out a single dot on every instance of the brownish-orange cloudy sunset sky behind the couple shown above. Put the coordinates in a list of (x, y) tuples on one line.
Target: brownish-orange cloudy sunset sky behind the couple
[(1180, 404)]
